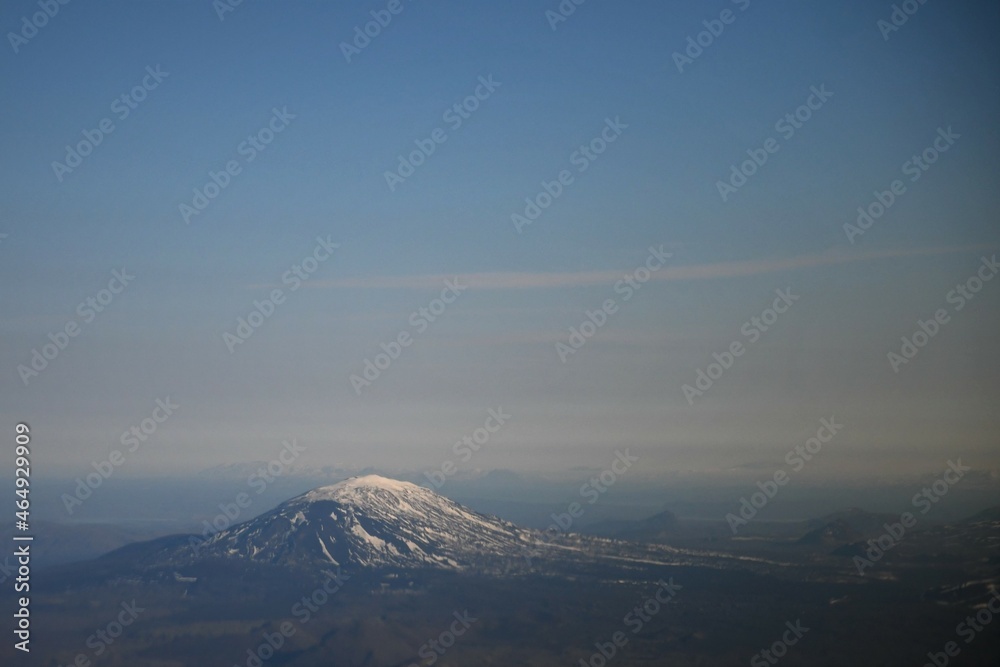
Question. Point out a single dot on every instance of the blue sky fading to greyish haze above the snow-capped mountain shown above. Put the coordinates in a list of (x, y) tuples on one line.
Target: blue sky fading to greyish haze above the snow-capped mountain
[(324, 176)]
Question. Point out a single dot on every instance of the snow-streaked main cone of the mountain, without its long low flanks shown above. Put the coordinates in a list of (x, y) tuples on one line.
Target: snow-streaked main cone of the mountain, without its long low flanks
[(371, 521)]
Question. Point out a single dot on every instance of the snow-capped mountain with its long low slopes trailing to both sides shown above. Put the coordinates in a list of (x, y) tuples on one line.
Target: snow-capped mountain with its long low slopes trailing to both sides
[(373, 523)]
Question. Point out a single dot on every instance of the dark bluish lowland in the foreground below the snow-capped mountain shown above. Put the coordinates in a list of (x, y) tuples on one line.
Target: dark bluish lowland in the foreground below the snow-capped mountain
[(214, 613)]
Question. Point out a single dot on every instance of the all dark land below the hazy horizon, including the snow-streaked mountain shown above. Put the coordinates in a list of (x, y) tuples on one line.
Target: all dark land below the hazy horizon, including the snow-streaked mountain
[(375, 572)]
